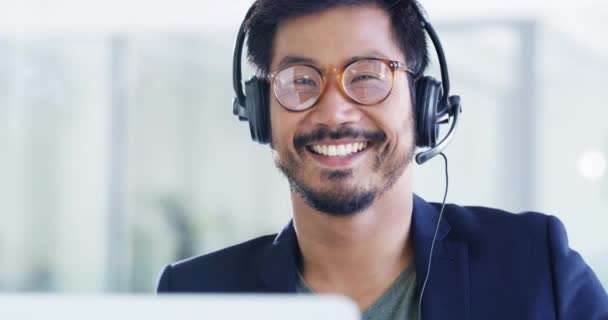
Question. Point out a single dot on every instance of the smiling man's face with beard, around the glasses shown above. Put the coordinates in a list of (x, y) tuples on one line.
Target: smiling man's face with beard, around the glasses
[(342, 184)]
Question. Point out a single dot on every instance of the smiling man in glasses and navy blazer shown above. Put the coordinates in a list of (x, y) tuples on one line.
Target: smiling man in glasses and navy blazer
[(340, 92)]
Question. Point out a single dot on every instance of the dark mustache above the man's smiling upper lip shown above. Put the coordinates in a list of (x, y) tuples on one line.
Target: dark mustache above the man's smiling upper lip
[(321, 133)]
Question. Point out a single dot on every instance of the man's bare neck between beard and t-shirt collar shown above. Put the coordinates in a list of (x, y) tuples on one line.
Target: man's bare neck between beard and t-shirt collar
[(360, 255)]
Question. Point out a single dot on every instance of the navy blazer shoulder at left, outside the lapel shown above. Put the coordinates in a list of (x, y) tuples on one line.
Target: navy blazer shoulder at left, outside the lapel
[(226, 270)]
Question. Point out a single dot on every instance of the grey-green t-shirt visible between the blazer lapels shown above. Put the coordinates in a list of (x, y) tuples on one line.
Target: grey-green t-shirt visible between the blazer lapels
[(398, 302)]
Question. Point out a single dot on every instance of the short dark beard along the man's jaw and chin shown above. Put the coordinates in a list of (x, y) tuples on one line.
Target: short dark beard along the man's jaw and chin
[(341, 202)]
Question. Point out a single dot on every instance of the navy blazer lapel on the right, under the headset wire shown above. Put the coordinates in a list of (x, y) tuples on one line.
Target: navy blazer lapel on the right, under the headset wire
[(446, 295)]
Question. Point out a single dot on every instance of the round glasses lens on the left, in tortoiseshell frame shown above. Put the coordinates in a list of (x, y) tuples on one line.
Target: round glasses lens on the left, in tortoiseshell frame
[(298, 88)]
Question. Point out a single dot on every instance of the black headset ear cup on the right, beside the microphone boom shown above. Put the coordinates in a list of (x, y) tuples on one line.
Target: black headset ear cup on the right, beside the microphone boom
[(428, 95)]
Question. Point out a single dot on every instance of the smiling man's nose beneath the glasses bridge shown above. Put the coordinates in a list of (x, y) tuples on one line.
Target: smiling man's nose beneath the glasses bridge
[(335, 108)]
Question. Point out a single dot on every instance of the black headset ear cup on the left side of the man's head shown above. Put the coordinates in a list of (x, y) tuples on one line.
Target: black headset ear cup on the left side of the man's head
[(256, 91)]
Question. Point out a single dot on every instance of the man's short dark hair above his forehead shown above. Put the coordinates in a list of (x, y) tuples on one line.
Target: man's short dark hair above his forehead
[(268, 14)]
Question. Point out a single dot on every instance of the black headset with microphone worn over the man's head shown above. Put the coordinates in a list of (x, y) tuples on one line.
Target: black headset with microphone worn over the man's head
[(432, 104)]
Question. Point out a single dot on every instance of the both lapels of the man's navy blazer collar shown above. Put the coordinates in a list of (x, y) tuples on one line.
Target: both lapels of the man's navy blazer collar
[(446, 295)]
